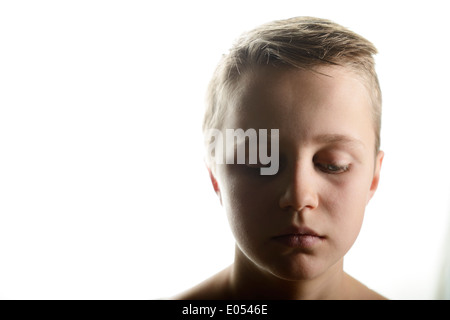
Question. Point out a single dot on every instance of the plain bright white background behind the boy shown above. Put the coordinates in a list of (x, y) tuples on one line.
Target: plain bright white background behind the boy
[(103, 190)]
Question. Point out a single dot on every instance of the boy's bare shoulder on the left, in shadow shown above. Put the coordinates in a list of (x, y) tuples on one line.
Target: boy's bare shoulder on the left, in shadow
[(213, 288)]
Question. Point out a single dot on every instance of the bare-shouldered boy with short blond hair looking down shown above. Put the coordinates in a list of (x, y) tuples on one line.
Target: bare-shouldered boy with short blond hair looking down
[(315, 82)]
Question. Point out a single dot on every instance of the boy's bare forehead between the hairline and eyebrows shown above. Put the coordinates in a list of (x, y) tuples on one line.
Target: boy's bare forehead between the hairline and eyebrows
[(303, 104)]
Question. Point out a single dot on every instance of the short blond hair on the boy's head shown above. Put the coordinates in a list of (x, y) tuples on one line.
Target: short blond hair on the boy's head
[(300, 42)]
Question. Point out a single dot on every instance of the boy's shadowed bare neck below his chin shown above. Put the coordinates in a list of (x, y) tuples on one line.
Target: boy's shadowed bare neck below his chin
[(249, 281)]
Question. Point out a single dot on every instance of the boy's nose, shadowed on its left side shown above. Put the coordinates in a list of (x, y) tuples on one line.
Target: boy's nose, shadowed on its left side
[(300, 191)]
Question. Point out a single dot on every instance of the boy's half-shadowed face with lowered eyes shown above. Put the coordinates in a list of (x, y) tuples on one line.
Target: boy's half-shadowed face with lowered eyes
[(300, 222)]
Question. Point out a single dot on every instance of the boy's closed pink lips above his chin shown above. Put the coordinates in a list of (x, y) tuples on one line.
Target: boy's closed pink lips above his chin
[(299, 237)]
